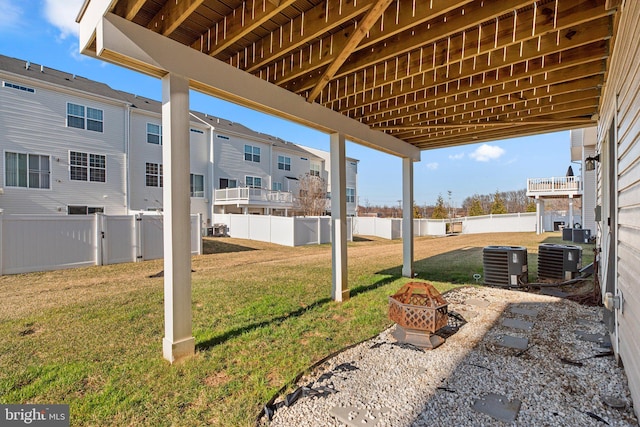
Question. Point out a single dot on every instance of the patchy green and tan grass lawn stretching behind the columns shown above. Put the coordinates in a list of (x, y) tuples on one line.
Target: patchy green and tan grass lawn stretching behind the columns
[(262, 314)]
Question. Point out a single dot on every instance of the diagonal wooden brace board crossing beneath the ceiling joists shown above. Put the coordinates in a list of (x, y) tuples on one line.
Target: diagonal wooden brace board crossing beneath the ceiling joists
[(353, 41)]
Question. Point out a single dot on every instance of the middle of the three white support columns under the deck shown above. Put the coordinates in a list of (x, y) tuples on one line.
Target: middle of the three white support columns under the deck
[(340, 287)]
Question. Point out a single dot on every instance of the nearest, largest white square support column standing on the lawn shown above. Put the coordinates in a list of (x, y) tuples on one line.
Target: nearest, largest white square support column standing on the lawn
[(178, 341)]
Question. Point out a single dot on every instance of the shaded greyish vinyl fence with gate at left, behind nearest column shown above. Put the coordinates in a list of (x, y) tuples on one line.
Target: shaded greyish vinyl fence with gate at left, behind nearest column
[(51, 242)]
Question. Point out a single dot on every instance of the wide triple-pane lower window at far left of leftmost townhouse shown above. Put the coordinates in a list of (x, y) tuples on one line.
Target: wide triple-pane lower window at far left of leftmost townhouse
[(27, 170)]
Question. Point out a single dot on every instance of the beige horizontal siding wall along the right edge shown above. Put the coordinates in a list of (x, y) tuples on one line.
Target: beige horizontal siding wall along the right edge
[(622, 102)]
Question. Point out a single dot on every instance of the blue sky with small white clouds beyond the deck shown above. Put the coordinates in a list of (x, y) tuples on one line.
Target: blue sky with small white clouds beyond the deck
[(45, 32)]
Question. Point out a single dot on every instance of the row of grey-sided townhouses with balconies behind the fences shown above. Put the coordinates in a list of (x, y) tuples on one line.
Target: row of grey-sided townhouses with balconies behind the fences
[(71, 145)]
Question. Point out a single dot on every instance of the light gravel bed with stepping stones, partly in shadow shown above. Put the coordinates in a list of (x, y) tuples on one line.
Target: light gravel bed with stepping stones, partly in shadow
[(383, 383)]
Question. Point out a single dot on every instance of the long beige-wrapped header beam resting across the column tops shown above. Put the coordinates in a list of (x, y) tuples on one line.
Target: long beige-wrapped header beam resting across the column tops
[(135, 47)]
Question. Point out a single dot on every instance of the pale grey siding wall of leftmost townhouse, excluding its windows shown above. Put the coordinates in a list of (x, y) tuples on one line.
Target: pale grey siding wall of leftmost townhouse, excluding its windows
[(36, 123)]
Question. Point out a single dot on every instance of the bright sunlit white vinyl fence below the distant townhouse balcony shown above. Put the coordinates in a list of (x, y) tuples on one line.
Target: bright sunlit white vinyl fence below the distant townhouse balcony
[(286, 231)]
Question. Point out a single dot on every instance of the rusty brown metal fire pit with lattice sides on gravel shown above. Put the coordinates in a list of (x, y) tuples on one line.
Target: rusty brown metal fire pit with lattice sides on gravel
[(419, 311)]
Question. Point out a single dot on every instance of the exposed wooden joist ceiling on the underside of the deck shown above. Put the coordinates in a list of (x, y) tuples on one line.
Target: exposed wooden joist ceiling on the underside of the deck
[(433, 73)]
